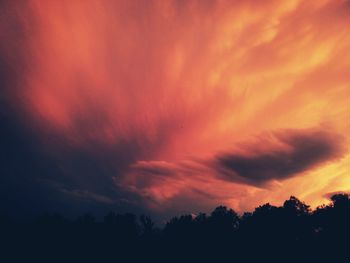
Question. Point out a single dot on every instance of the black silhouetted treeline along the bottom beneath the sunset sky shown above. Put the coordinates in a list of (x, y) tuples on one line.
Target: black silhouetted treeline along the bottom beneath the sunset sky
[(290, 233)]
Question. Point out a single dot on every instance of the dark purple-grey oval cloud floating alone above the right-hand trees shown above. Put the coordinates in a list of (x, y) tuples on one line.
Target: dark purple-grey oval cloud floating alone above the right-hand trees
[(285, 154)]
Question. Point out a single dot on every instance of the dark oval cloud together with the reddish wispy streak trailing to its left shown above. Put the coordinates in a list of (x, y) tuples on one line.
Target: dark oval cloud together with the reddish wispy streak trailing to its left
[(271, 156)]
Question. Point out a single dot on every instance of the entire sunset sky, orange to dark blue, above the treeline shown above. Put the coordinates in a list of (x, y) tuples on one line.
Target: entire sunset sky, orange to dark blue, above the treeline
[(167, 107)]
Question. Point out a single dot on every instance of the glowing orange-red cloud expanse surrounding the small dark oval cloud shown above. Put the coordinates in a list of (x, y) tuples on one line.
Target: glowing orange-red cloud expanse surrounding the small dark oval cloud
[(177, 81)]
